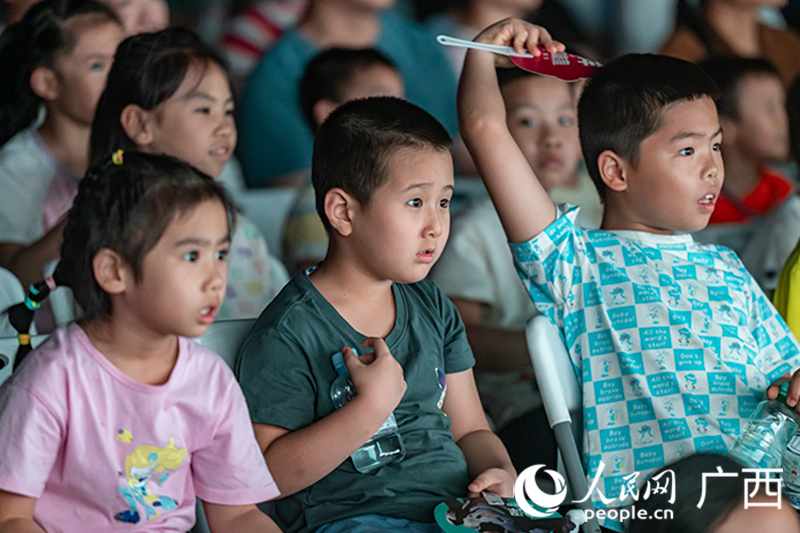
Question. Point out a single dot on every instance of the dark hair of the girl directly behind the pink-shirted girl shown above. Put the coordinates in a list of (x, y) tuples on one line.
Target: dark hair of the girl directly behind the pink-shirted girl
[(148, 68)]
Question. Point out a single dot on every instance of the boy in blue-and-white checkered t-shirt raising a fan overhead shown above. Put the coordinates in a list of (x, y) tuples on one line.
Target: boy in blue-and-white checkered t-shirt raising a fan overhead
[(675, 342)]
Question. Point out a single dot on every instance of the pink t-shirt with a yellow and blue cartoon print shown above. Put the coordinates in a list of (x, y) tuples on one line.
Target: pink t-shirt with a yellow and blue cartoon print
[(103, 452)]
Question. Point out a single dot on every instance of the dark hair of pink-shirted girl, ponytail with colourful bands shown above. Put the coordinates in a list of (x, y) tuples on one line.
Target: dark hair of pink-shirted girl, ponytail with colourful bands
[(126, 207)]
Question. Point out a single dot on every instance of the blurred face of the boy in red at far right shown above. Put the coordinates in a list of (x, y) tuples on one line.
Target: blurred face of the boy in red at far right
[(763, 125)]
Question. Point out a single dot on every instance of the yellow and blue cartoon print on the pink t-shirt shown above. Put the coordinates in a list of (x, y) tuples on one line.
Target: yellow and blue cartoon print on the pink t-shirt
[(140, 465)]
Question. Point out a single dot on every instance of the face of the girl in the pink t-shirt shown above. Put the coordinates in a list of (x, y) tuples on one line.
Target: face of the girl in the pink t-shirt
[(184, 276)]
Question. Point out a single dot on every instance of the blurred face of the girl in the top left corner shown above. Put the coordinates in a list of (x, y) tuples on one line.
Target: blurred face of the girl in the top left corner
[(80, 74)]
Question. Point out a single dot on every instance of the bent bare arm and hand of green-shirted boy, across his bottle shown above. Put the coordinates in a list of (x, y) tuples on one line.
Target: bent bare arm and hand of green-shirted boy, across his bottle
[(296, 459)]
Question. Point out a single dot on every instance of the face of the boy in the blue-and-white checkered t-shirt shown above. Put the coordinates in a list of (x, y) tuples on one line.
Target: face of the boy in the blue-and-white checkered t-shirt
[(679, 174)]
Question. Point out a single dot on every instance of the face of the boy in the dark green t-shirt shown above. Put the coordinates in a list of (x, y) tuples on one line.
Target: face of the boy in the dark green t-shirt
[(401, 233)]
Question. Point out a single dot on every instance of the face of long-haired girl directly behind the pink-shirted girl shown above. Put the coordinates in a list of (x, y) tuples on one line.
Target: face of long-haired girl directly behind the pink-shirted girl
[(196, 123)]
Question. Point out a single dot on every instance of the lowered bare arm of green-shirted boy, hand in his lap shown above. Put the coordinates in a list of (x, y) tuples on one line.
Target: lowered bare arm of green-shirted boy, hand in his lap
[(488, 464)]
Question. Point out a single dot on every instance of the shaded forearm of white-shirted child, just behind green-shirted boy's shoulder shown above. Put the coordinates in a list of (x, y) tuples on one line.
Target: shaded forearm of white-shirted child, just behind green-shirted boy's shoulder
[(495, 349)]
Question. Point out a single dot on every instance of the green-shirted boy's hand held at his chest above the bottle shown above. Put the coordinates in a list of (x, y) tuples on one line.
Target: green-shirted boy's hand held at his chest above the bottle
[(377, 375)]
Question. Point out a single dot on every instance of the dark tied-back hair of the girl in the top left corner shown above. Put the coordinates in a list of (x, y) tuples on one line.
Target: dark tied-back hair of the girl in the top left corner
[(33, 42)]
